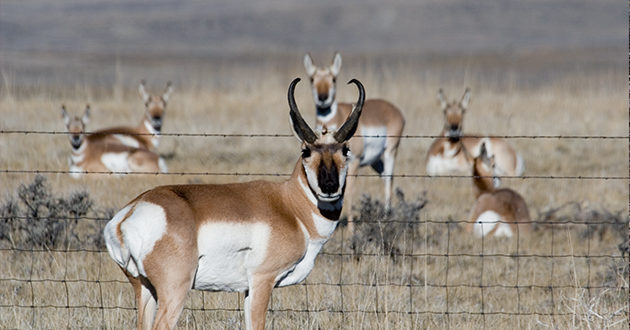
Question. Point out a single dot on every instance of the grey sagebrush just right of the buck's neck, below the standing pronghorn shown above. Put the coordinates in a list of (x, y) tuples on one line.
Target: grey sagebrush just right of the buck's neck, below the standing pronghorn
[(378, 231)]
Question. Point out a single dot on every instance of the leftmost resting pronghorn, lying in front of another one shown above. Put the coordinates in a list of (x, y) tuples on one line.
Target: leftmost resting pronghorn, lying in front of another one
[(94, 153)]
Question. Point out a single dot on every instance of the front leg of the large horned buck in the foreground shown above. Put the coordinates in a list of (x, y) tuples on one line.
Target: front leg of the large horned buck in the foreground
[(257, 300)]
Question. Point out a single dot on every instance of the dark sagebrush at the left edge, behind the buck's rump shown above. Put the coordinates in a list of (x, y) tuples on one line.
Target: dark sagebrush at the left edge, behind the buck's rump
[(37, 218)]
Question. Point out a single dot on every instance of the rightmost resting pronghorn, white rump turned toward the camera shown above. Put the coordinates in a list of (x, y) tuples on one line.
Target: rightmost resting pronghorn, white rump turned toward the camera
[(497, 212)]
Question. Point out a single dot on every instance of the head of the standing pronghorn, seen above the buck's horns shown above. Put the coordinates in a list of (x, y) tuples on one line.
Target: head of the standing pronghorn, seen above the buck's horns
[(323, 80)]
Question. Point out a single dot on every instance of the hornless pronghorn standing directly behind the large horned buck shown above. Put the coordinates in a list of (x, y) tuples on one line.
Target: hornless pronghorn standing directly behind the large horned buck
[(380, 127)]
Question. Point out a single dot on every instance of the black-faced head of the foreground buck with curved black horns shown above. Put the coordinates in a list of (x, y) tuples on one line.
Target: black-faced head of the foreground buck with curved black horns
[(325, 154)]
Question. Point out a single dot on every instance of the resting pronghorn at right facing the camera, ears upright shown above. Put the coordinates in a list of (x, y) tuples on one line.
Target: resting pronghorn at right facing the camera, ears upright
[(453, 153)]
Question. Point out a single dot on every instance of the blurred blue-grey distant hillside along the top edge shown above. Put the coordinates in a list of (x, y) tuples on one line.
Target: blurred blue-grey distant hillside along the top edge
[(226, 27)]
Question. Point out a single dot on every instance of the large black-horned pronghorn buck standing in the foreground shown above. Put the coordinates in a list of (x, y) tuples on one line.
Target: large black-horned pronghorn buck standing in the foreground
[(247, 237)]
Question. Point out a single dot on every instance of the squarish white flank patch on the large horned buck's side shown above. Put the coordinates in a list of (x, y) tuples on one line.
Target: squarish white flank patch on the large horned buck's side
[(228, 252)]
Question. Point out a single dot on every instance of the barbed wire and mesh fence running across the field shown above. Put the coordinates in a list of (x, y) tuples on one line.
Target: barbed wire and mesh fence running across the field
[(52, 280)]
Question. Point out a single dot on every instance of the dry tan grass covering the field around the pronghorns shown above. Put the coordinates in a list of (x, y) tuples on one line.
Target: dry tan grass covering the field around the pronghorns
[(373, 291)]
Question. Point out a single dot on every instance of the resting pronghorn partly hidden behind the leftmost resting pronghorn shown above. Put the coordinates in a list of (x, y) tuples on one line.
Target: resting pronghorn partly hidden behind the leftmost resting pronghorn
[(146, 134)]
